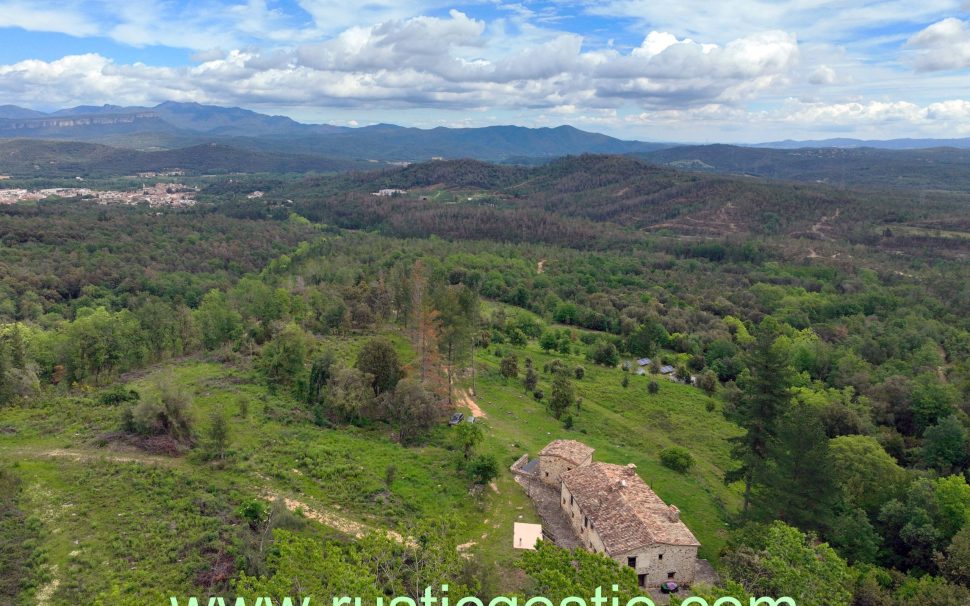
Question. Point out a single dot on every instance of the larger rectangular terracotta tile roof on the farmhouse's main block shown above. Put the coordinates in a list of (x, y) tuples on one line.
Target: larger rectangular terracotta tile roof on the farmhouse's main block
[(624, 511)]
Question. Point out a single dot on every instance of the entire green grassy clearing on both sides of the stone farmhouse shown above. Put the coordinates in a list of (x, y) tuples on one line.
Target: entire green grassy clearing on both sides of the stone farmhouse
[(129, 527)]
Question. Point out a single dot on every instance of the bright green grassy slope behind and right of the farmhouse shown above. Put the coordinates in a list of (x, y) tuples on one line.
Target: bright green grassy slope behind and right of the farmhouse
[(625, 425)]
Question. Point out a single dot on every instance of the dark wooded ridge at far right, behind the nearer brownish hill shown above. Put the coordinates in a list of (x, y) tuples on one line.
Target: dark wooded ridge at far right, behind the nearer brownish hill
[(943, 168)]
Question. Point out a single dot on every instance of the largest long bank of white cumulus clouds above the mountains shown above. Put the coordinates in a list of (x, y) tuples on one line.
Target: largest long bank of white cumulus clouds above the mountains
[(445, 62)]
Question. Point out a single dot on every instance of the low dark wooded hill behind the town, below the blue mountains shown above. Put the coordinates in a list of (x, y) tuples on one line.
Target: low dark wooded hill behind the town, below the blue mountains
[(34, 158)]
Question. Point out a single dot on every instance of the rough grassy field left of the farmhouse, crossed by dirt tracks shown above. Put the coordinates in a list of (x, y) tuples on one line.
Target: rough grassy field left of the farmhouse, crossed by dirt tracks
[(130, 526)]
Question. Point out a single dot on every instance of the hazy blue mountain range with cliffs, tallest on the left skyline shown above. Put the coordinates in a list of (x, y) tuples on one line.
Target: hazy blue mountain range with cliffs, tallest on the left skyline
[(173, 125)]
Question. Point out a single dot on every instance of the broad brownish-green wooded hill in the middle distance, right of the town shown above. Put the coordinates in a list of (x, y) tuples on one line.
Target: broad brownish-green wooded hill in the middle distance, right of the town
[(620, 194)]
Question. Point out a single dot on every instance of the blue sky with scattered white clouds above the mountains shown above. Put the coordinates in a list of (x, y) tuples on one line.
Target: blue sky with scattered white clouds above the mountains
[(659, 70)]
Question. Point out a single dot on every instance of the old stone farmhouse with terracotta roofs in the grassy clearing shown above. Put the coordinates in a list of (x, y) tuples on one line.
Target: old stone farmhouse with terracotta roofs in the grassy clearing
[(612, 511)]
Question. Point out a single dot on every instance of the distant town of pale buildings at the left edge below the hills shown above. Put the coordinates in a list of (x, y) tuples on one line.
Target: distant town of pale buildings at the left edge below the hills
[(155, 196)]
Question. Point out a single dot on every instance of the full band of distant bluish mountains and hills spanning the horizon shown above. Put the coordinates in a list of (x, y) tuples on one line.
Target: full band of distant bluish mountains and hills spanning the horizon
[(206, 138)]
